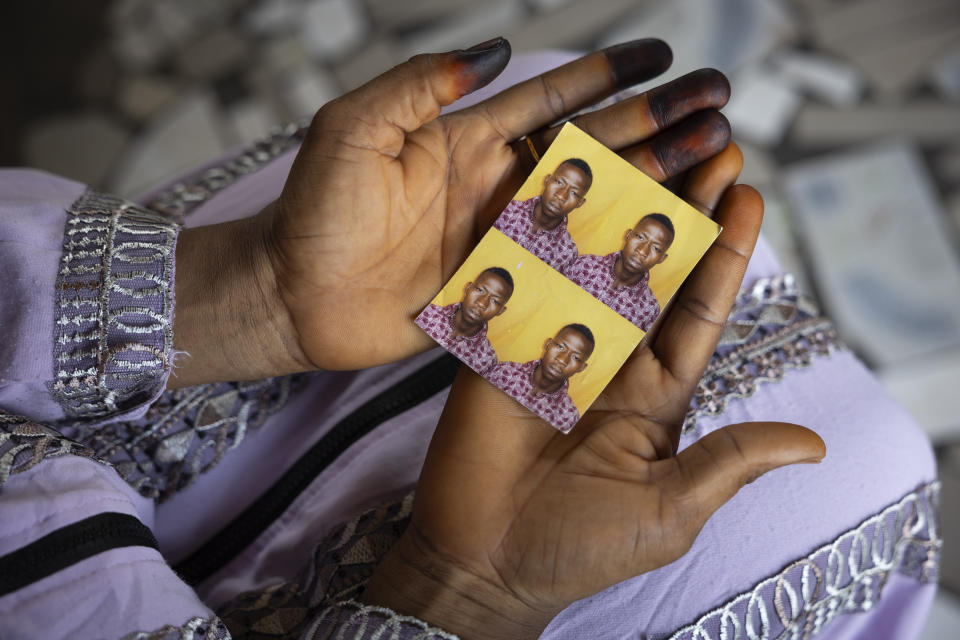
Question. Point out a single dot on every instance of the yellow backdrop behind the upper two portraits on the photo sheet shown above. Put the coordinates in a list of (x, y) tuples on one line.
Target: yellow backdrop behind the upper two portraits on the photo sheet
[(620, 195)]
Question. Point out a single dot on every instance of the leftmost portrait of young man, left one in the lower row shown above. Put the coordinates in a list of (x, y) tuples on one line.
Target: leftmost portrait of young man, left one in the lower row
[(461, 328)]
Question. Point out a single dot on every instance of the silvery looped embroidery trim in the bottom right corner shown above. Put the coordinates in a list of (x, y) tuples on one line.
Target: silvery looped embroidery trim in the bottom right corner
[(844, 576)]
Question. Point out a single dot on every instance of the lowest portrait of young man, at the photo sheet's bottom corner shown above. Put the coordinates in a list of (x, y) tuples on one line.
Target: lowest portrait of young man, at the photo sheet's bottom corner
[(542, 385)]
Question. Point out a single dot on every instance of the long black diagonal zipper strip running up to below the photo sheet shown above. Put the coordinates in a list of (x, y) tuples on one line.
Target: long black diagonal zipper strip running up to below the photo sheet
[(249, 524)]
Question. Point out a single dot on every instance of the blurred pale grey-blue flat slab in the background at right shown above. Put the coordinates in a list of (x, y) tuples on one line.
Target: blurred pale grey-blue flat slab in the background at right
[(878, 248)]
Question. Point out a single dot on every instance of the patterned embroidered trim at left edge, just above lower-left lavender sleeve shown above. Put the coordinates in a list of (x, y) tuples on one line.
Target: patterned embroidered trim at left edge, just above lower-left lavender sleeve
[(24, 444)]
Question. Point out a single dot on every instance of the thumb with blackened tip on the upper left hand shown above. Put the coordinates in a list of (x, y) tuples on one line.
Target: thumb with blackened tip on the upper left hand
[(411, 94)]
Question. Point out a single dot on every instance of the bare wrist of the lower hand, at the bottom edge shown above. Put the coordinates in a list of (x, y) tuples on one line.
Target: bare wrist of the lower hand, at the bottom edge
[(413, 581)]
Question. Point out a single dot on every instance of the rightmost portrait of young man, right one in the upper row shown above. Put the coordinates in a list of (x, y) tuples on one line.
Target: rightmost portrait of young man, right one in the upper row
[(621, 279)]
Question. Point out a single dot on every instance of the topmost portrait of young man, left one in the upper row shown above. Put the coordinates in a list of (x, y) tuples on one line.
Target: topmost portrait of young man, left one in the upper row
[(539, 224)]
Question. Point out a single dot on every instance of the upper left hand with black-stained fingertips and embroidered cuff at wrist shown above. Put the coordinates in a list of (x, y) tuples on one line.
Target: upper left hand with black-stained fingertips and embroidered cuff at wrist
[(386, 199)]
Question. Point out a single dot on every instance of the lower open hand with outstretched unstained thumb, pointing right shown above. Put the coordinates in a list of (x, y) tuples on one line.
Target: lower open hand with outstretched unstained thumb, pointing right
[(513, 521)]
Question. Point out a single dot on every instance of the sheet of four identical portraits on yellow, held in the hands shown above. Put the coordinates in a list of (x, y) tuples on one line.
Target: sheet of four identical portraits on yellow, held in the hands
[(575, 270)]
